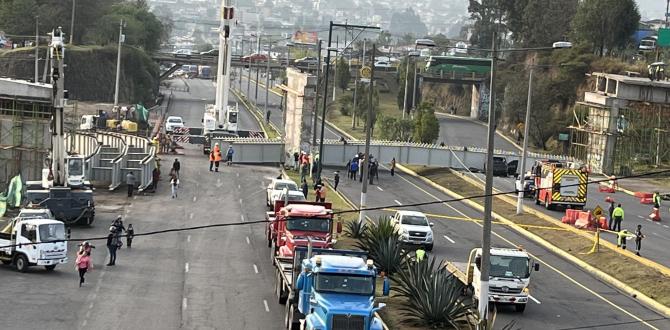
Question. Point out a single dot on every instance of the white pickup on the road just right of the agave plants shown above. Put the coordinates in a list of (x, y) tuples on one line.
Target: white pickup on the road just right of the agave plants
[(414, 228)]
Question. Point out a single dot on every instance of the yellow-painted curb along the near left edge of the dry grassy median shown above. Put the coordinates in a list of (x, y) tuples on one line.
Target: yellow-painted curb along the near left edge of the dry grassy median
[(642, 298)]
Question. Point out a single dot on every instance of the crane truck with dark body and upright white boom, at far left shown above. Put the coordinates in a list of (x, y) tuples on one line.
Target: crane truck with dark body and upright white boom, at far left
[(63, 189)]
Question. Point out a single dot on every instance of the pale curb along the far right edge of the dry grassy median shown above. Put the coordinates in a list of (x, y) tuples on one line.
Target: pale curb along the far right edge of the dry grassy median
[(662, 269)]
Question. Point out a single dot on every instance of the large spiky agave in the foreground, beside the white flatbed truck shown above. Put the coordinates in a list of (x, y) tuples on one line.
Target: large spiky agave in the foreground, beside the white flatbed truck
[(433, 296)]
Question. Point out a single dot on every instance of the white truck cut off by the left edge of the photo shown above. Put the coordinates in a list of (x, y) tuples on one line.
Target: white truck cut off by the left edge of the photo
[(33, 241)]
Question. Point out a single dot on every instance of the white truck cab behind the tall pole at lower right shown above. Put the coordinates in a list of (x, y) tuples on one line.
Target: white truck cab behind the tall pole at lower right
[(509, 276)]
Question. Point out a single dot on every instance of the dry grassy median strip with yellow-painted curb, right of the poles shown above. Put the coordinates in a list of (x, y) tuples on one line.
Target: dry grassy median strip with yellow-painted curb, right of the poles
[(630, 274)]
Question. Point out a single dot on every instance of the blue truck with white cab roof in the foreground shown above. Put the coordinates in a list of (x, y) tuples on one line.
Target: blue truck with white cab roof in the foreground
[(328, 290)]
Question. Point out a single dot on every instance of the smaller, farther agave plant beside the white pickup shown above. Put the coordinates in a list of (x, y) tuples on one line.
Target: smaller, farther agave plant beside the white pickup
[(381, 241)]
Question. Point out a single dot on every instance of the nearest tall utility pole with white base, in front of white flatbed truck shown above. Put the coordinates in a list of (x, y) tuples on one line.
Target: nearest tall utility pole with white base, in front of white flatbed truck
[(488, 190)]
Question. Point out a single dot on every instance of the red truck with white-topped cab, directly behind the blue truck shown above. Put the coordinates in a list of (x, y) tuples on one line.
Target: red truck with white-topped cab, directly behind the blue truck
[(290, 226)]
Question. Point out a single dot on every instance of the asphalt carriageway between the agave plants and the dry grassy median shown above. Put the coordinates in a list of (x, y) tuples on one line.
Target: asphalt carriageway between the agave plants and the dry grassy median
[(565, 297)]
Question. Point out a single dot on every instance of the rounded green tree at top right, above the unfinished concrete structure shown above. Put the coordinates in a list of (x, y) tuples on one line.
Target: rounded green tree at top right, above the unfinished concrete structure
[(605, 25)]
